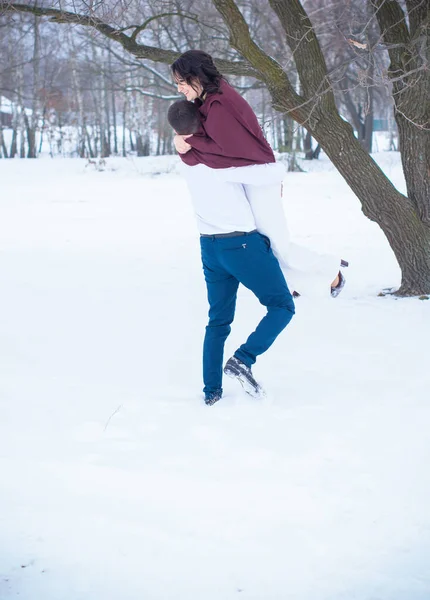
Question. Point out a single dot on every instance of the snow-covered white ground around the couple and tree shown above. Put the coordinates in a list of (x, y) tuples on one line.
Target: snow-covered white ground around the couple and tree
[(118, 483)]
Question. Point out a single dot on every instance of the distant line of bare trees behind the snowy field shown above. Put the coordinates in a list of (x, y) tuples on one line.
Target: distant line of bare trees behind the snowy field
[(75, 92)]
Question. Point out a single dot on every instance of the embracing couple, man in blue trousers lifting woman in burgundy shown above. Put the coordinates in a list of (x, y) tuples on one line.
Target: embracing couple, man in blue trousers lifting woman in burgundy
[(235, 186)]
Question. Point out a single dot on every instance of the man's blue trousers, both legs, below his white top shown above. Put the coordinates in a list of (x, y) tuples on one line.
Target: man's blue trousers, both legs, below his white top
[(246, 259)]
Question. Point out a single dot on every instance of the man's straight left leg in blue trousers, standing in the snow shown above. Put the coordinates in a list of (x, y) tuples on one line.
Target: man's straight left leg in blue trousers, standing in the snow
[(222, 292)]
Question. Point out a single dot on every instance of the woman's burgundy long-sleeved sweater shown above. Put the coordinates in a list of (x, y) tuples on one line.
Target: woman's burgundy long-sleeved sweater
[(230, 135)]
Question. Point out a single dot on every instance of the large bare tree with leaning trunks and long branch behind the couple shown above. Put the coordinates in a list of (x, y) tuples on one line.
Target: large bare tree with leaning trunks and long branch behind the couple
[(404, 33)]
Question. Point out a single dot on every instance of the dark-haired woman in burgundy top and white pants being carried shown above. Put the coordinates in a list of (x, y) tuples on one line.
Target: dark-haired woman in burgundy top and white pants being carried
[(232, 137)]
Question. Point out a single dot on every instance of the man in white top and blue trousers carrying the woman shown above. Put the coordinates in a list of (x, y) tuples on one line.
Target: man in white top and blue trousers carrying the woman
[(233, 252)]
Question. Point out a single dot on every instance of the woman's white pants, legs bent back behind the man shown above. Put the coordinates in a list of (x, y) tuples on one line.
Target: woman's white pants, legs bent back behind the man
[(307, 272)]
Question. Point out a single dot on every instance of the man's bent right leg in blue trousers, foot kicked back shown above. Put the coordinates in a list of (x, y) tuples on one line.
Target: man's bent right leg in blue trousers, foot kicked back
[(255, 266)]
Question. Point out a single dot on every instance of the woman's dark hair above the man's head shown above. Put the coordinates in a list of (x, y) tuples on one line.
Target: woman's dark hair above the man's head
[(196, 64)]
